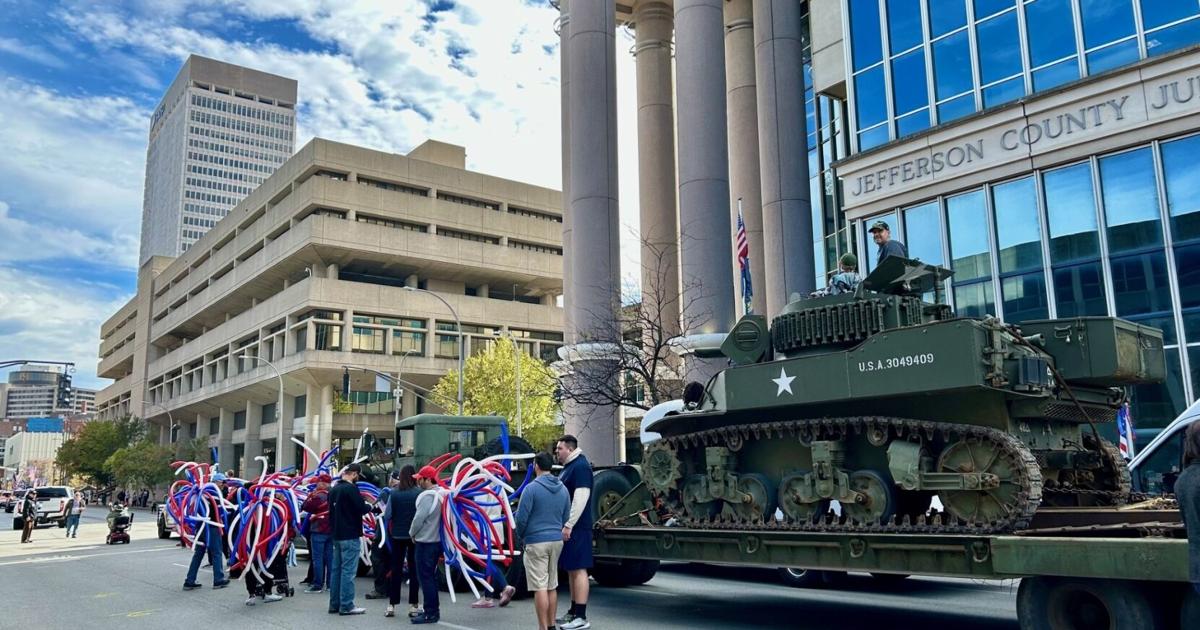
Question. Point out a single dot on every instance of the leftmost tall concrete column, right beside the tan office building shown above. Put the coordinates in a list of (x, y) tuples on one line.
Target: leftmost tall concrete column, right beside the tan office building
[(593, 206)]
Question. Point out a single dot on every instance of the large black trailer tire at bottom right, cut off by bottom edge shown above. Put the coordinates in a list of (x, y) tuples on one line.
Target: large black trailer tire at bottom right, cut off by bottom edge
[(1073, 604)]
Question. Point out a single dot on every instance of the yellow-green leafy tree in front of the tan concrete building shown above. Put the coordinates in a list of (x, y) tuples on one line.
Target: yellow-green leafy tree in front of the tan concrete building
[(490, 388)]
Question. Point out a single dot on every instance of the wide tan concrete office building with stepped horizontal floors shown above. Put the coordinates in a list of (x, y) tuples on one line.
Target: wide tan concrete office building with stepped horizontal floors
[(315, 272)]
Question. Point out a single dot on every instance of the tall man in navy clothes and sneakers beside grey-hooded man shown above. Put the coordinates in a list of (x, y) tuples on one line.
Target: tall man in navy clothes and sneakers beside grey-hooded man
[(577, 557)]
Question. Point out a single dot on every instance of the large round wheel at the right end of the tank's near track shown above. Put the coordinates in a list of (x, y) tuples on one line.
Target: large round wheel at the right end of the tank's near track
[(973, 455)]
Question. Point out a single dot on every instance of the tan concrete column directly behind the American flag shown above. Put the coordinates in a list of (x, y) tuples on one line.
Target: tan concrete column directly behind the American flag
[(743, 111)]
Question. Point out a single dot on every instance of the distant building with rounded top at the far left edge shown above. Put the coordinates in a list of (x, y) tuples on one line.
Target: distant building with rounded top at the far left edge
[(38, 392)]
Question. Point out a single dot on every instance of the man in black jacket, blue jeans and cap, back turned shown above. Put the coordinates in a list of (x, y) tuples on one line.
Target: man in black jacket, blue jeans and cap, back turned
[(346, 512)]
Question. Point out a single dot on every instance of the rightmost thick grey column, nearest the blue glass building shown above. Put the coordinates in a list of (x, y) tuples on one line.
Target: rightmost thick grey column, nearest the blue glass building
[(783, 153)]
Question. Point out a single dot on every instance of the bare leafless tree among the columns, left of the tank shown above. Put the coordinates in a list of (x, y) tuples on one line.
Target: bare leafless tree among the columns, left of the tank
[(634, 347)]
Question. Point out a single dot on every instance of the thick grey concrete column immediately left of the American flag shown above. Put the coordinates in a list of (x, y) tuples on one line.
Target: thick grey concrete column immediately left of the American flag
[(706, 236)]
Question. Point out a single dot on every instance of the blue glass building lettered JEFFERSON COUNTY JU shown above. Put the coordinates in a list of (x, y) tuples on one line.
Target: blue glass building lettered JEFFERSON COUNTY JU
[(1045, 151)]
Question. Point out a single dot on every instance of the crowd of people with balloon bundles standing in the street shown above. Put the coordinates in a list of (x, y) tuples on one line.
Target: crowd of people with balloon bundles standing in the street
[(553, 525)]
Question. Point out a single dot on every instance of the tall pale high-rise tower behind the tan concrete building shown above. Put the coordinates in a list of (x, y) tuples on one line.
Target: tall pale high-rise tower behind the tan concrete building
[(215, 136)]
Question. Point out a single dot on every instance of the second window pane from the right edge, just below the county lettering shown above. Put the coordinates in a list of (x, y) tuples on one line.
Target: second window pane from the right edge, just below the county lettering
[(1131, 201)]
